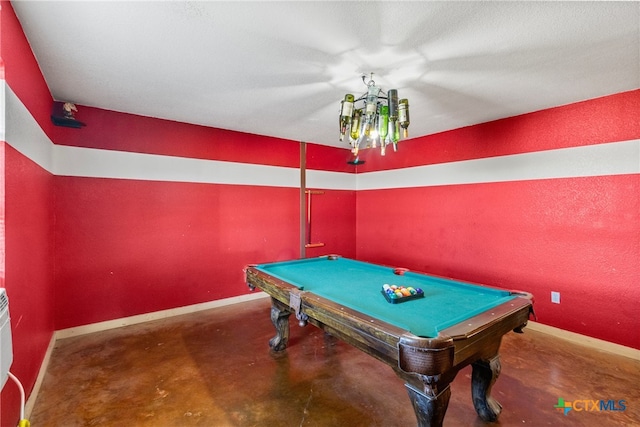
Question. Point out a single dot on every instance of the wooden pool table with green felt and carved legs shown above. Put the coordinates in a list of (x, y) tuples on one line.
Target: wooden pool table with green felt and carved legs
[(425, 340)]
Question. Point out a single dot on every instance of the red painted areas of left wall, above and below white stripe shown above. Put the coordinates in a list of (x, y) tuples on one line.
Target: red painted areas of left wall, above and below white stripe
[(28, 206)]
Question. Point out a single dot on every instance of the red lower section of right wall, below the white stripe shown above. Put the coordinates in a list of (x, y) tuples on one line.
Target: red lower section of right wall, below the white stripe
[(574, 236)]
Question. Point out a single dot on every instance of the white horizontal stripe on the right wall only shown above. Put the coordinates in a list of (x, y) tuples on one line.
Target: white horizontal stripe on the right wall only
[(614, 158)]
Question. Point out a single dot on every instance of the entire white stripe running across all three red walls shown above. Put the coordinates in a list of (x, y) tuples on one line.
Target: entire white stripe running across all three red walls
[(23, 133)]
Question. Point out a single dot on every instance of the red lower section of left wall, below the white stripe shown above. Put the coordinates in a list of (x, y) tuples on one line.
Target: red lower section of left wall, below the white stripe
[(29, 268)]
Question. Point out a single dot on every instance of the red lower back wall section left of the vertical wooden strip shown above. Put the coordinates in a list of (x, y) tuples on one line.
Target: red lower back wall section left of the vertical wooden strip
[(126, 247)]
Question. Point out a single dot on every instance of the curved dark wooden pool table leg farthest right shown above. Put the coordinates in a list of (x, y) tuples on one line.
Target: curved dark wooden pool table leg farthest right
[(485, 373)]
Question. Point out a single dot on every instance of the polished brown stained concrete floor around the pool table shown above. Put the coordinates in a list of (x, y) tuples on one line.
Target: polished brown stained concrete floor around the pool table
[(214, 368)]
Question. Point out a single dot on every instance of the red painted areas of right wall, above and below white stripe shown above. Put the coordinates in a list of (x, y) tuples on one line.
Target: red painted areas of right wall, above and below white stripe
[(577, 236)]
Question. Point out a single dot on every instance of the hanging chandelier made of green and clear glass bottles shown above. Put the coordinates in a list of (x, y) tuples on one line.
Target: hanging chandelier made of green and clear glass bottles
[(374, 118)]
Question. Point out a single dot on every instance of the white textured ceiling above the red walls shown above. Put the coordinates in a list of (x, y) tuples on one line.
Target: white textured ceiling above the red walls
[(281, 68)]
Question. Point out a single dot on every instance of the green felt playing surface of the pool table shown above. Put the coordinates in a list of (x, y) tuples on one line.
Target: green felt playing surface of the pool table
[(357, 285)]
